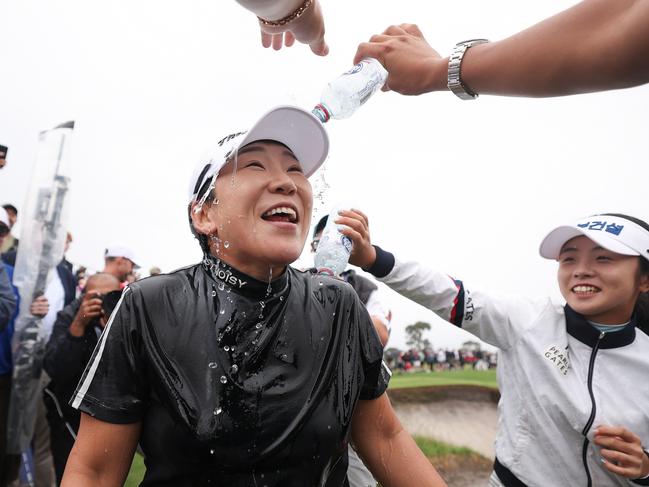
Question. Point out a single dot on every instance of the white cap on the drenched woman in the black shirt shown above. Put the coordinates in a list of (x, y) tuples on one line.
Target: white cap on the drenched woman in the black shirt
[(297, 129)]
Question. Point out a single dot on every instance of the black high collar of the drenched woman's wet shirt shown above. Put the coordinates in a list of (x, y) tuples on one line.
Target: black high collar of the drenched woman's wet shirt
[(228, 277)]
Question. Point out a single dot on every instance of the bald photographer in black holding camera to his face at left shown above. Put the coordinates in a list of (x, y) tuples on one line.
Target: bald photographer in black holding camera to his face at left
[(74, 336)]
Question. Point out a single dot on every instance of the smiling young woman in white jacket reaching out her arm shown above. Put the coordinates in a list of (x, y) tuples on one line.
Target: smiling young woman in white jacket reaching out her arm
[(572, 377)]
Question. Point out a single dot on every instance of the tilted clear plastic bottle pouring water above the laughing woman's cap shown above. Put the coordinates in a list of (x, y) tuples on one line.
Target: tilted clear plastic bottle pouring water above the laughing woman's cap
[(342, 97)]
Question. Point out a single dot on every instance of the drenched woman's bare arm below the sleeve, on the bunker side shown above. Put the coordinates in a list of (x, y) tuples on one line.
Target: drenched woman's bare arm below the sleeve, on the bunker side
[(387, 449)]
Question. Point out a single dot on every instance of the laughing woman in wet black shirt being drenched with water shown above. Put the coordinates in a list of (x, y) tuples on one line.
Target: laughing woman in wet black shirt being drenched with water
[(242, 370)]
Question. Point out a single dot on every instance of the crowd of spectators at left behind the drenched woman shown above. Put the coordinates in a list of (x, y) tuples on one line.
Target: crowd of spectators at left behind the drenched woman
[(73, 309)]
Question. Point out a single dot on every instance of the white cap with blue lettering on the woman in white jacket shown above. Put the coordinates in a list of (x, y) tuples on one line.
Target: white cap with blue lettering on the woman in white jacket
[(616, 233)]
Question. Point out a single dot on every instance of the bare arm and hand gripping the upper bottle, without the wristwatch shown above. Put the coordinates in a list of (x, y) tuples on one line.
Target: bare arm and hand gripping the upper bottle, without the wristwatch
[(594, 46)]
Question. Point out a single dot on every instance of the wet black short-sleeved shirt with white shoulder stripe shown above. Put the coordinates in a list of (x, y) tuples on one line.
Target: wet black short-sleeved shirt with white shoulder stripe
[(237, 382)]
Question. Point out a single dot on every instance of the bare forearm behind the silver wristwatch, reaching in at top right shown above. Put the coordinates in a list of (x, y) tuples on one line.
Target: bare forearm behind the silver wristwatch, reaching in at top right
[(595, 45)]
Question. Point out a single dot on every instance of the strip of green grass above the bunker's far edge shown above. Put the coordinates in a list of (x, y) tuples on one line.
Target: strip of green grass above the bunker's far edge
[(485, 378)]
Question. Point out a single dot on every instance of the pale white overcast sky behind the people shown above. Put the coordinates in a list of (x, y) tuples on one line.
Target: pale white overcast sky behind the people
[(467, 187)]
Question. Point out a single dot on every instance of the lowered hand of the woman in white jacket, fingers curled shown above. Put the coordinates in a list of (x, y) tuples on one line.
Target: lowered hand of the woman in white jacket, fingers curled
[(622, 452)]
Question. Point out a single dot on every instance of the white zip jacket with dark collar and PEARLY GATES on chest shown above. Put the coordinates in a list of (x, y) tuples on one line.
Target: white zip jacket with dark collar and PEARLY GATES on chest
[(559, 377)]
